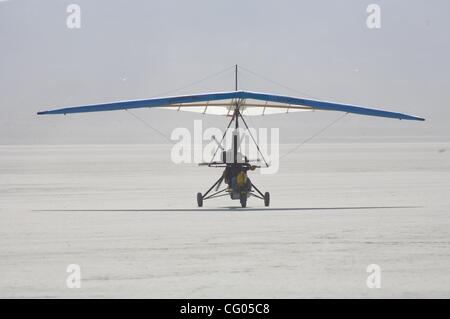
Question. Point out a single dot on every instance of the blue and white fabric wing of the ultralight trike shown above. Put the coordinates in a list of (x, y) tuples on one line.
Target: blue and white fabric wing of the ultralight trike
[(223, 103)]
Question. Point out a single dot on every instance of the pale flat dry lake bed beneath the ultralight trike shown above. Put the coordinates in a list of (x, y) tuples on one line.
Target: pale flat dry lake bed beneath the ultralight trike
[(128, 217)]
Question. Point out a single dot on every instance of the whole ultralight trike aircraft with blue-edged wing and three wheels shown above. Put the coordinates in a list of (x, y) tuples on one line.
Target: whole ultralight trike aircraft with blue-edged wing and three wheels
[(235, 104)]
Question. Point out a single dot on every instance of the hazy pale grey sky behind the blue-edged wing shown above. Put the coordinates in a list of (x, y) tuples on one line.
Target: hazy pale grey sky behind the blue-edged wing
[(140, 49)]
